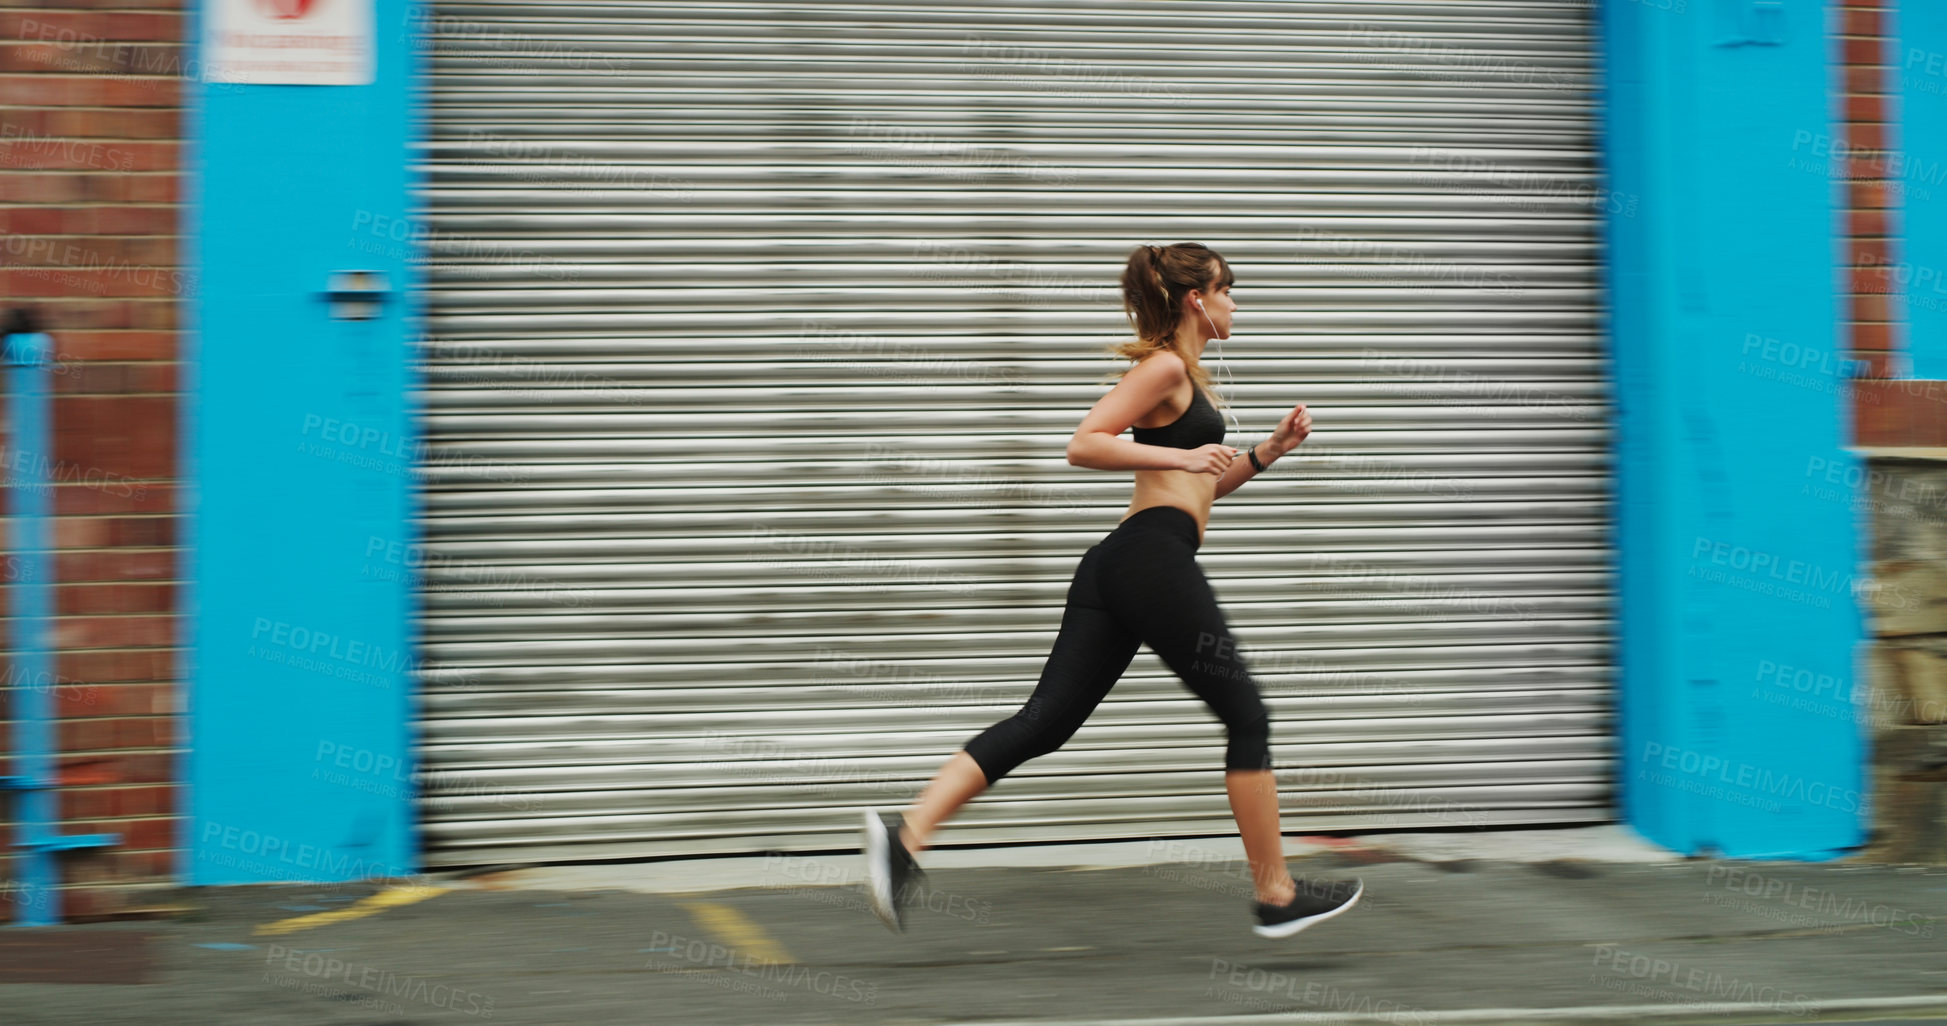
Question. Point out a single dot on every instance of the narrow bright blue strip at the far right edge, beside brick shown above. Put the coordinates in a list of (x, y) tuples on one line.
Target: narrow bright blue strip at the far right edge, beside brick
[(1921, 63)]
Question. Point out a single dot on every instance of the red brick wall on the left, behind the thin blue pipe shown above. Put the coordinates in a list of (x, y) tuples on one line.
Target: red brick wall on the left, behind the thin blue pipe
[(91, 184)]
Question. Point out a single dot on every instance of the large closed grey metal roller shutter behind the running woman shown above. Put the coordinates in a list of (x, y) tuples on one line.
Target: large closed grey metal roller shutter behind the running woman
[(756, 334)]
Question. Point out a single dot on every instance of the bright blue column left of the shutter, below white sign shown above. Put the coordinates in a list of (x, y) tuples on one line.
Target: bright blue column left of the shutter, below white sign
[(301, 447)]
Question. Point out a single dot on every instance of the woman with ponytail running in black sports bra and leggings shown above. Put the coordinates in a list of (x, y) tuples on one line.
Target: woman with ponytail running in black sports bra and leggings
[(1142, 585)]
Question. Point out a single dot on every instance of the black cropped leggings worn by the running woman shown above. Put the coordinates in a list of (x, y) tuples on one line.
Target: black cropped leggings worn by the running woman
[(1138, 585)]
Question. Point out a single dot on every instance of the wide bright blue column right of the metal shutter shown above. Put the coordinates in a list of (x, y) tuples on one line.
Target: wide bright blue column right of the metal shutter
[(1740, 546)]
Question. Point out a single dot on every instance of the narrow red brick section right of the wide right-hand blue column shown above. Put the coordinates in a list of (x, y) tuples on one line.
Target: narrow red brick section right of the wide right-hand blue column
[(1886, 412)]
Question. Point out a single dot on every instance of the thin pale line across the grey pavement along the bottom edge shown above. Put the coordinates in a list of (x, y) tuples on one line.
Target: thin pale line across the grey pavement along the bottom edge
[(1621, 1015)]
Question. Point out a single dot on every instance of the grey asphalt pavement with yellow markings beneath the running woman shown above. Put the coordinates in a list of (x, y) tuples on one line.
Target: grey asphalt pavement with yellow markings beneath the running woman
[(1485, 928)]
